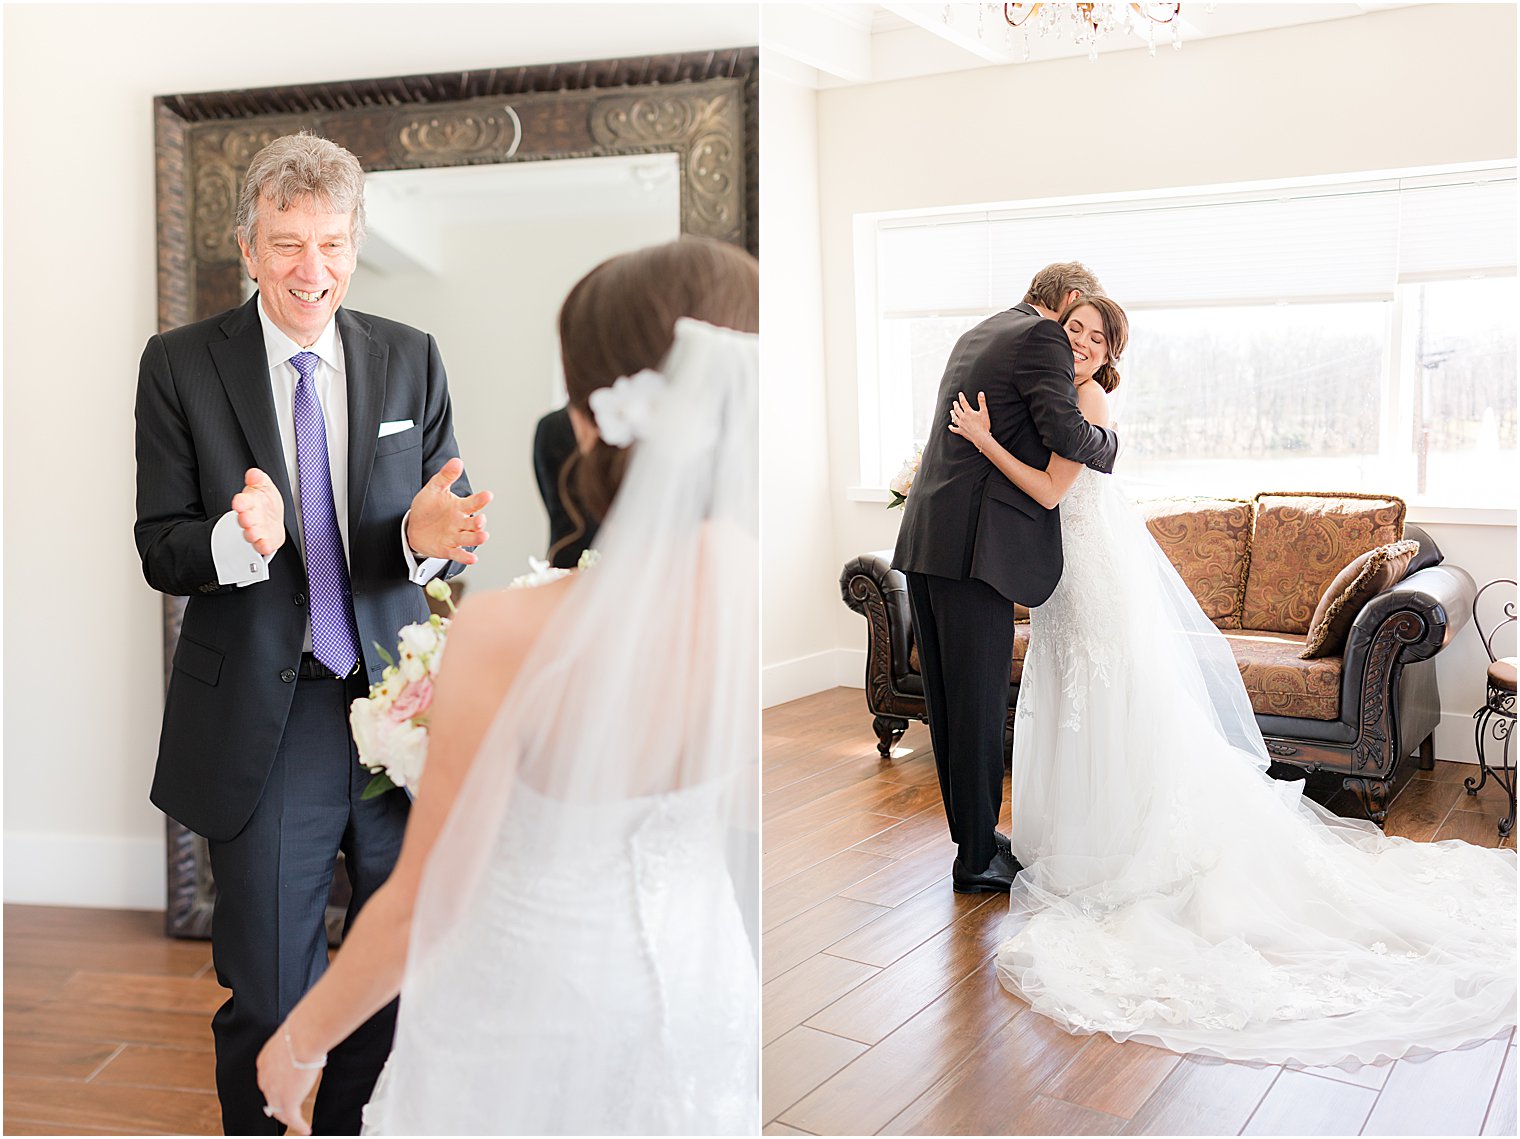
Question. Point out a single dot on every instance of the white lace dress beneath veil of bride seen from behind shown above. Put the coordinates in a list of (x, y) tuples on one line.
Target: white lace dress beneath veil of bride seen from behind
[(574, 954)]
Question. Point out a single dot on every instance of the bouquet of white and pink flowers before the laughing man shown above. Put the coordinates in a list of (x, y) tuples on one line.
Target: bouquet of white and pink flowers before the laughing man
[(390, 725)]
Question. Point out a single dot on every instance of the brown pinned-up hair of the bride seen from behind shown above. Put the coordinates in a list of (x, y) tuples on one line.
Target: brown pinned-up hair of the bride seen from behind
[(621, 320)]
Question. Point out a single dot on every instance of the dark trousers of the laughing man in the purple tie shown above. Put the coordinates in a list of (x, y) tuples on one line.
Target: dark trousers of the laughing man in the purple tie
[(273, 881)]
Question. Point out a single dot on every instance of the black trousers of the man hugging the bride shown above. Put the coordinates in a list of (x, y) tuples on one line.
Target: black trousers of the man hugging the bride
[(964, 632)]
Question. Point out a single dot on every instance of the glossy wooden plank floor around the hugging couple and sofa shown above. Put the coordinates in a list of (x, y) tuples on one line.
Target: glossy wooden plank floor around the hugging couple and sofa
[(884, 1014)]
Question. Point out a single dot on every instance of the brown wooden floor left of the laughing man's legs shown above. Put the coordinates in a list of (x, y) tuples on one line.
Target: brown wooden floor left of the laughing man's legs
[(107, 1026)]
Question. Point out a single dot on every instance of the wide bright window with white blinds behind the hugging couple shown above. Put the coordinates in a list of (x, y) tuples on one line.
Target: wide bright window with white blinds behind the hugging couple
[(1360, 334)]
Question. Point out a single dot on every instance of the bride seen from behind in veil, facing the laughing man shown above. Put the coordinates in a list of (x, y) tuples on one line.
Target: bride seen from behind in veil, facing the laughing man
[(572, 922)]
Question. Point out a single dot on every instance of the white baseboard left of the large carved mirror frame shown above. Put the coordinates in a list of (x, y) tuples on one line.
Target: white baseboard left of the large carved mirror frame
[(84, 871)]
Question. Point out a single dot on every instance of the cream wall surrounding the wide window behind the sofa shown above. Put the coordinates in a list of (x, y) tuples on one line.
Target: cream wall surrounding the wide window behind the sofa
[(1399, 89)]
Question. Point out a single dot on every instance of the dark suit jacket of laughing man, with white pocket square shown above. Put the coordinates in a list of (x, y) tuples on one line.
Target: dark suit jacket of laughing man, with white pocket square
[(204, 416)]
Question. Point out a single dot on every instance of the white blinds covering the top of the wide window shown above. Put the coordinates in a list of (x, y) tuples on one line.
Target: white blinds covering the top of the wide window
[(1343, 243)]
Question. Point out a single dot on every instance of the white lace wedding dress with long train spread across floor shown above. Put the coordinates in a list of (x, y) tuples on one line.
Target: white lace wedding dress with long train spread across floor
[(1177, 895)]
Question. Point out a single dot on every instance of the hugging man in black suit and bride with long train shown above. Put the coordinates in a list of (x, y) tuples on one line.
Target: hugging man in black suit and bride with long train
[(1164, 887)]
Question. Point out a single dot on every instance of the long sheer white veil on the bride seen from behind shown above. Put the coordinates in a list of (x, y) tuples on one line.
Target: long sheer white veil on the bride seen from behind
[(635, 729)]
